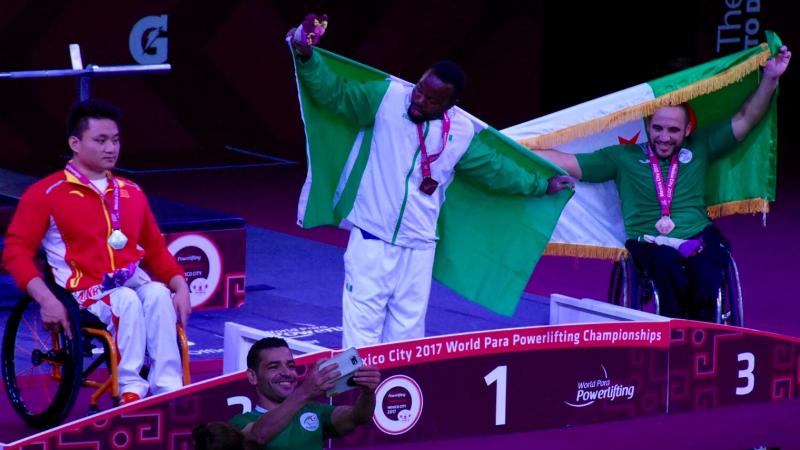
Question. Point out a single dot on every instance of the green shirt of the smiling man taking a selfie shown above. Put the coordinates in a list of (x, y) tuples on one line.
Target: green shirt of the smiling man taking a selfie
[(306, 431)]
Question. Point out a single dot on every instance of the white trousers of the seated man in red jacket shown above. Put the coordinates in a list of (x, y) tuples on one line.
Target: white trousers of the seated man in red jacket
[(141, 317)]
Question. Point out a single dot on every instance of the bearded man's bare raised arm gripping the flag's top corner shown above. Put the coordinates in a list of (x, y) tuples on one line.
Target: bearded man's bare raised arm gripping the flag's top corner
[(754, 108)]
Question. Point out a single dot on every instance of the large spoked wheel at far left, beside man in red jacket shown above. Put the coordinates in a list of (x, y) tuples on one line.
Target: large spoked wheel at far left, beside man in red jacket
[(41, 369)]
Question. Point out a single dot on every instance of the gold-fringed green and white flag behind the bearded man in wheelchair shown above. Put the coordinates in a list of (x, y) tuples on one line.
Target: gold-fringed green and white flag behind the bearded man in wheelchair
[(741, 182)]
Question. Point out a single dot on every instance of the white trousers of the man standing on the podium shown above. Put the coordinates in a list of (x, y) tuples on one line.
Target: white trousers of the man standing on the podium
[(386, 290)]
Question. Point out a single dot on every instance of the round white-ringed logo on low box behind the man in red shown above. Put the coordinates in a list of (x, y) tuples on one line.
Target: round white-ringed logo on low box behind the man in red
[(202, 264)]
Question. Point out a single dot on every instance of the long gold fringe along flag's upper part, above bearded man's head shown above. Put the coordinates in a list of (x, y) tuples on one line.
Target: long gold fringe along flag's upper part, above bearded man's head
[(676, 97)]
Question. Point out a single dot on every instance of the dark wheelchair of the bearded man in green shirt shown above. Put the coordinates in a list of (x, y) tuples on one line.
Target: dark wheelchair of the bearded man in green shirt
[(631, 287)]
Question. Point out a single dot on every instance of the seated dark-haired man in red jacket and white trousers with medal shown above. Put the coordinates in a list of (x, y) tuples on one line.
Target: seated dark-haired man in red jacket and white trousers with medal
[(66, 215)]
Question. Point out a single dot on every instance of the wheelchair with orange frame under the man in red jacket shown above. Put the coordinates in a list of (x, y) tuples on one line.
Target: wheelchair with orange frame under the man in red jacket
[(43, 370)]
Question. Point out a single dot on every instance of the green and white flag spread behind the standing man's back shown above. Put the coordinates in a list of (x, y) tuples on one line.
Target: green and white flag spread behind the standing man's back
[(488, 243)]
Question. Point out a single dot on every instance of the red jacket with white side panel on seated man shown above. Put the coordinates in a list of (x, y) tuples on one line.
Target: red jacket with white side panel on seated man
[(72, 223)]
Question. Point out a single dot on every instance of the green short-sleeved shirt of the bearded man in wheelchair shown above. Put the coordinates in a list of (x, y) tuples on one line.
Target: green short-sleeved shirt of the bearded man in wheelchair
[(628, 166)]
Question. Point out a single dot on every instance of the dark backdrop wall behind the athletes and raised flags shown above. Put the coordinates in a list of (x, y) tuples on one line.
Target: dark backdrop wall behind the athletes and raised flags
[(232, 81)]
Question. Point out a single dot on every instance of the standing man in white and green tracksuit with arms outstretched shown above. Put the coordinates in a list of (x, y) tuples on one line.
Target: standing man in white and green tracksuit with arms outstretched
[(390, 254)]
